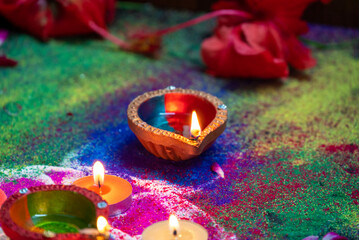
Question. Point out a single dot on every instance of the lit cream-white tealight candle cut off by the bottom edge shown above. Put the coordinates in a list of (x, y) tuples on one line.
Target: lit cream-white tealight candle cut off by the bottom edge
[(174, 229)]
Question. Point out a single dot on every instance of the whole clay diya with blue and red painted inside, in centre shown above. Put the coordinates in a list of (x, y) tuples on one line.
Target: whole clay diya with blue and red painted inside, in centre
[(161, 120)]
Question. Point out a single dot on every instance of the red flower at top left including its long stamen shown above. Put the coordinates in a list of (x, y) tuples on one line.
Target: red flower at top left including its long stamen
[(57, 18)]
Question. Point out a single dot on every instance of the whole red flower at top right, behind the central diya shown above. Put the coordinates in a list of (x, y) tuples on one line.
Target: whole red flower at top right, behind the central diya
[(262, 47)]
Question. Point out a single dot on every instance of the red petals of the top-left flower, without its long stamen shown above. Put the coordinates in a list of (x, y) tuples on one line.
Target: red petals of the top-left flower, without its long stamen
[(57, 18)]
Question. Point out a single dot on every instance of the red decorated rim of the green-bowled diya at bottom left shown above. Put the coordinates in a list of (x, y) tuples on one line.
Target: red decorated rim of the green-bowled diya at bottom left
[(8, 223)]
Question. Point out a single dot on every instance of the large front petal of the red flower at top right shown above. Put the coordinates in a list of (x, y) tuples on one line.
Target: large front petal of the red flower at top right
[(228, 54)]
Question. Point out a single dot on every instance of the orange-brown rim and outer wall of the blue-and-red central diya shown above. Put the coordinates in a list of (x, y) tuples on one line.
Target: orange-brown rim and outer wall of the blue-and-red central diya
[(142, 128)]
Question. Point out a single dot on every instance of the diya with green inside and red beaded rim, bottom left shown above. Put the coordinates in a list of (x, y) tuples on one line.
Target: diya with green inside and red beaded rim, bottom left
[(51, 212)]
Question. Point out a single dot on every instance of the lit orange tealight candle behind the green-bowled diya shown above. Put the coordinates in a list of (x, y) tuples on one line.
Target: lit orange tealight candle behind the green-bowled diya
[(115, 190)]
